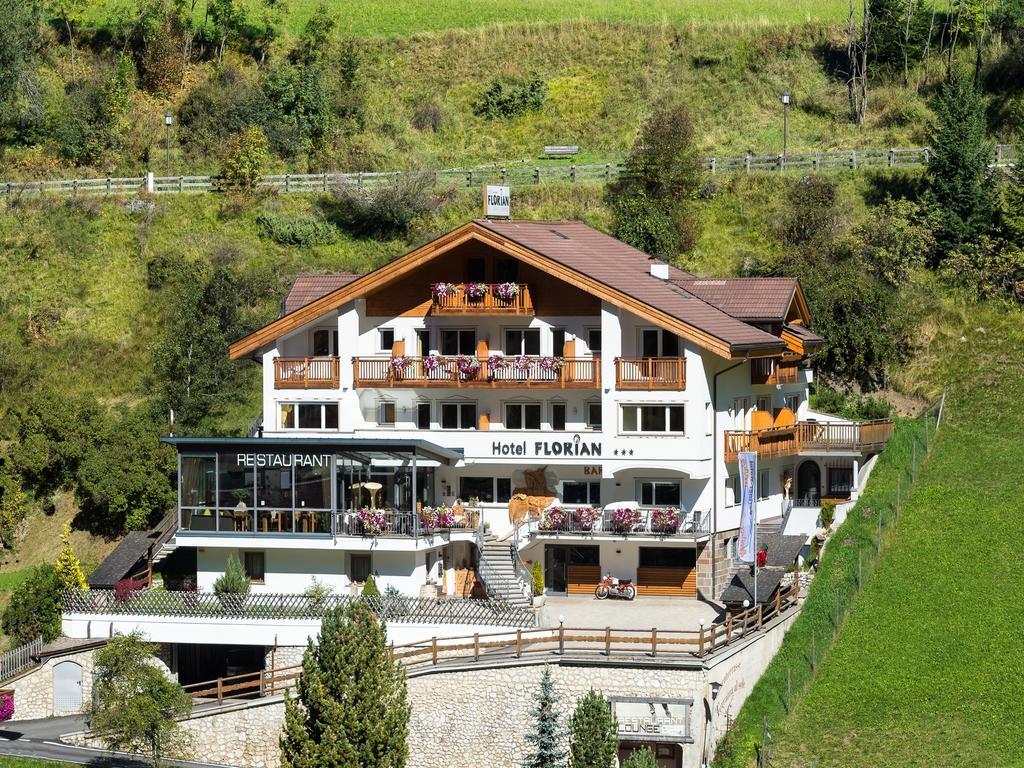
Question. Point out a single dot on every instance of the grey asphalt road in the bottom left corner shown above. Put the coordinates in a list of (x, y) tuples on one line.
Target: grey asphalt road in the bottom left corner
[(40, 740)]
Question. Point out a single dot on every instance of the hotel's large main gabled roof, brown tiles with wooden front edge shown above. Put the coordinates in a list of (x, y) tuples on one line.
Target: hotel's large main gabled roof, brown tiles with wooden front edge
[(570, 251)]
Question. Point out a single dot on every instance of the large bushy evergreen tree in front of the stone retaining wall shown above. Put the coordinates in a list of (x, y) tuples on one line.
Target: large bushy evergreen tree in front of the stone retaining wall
[(351, 710)]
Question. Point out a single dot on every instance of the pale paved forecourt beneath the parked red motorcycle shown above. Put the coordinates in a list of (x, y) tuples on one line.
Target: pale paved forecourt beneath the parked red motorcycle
[(643, 614)]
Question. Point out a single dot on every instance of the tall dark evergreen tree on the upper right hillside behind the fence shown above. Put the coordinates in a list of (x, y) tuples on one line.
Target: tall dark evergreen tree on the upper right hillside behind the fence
[(961, 190)]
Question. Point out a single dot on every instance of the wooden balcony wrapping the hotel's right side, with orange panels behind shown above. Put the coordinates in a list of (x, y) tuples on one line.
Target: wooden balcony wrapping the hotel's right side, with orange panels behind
[(810, 438)]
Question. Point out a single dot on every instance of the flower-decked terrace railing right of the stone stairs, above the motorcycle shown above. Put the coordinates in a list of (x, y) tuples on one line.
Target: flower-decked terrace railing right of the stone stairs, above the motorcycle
[(648, 522)]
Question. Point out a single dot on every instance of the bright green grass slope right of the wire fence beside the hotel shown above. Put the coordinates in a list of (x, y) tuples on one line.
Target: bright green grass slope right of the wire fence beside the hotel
[(927, 670)]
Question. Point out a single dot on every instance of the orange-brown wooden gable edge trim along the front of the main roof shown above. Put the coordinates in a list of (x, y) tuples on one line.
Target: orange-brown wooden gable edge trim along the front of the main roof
[(474, 232)]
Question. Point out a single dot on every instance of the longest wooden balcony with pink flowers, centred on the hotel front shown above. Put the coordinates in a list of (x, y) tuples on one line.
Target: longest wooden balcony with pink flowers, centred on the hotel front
[(571, 373)]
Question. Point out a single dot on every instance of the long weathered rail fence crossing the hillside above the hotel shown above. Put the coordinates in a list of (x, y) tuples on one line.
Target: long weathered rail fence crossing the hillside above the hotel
[(820, 162)]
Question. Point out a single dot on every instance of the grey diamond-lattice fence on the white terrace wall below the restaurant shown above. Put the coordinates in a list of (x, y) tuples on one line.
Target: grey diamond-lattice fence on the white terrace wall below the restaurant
[(279, 607)]
